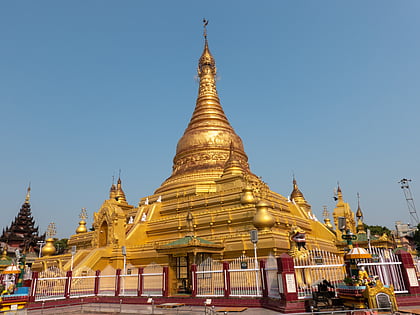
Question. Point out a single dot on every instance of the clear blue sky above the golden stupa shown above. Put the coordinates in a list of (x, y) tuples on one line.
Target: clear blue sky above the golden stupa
[(327, 90)]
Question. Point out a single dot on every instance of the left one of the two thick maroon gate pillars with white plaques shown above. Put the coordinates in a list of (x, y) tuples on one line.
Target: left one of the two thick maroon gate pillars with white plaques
[(287, 285)]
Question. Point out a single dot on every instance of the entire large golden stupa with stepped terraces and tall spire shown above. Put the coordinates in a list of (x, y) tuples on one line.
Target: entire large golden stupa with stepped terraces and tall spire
[(205, 208)]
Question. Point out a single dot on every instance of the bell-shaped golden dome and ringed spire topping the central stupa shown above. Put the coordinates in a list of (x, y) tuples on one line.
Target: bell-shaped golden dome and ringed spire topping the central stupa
[(203, 150)]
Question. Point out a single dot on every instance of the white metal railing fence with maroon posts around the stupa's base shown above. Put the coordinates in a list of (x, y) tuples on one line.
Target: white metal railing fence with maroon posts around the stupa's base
[(240, 277)]
